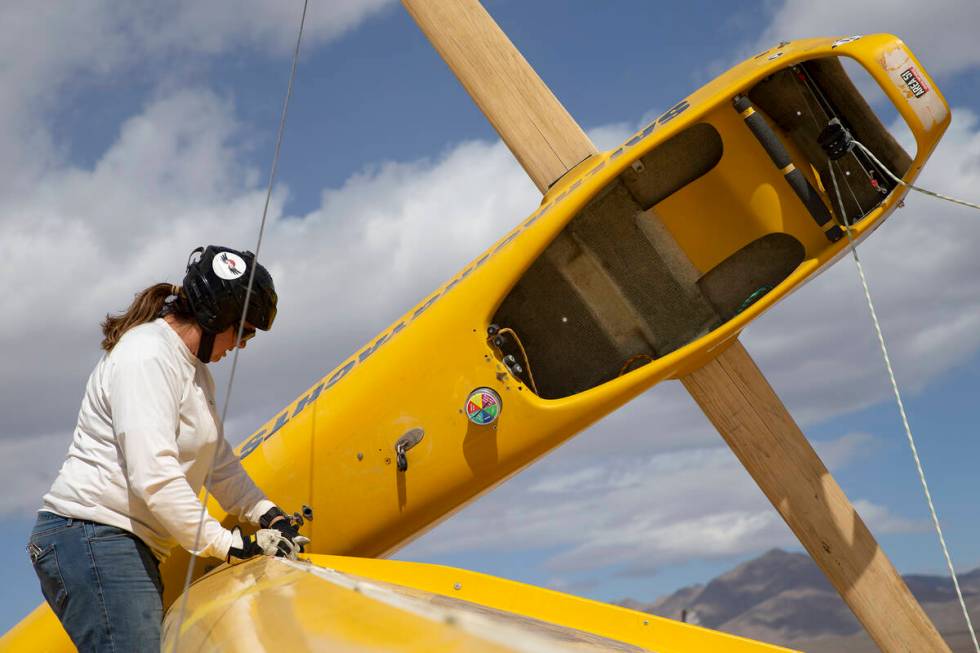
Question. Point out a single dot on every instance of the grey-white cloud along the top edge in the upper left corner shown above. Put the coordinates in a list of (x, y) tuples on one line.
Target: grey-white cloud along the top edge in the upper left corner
[(52, 42)]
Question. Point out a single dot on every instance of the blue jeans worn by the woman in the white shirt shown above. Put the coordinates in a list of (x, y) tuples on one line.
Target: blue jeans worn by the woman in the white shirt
[(102, 582)]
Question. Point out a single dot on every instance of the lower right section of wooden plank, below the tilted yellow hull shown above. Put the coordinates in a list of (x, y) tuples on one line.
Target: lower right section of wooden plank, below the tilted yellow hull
[(734, 394)]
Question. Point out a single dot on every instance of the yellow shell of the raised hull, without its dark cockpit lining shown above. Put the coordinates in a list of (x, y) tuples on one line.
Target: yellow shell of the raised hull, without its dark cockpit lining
[(334, 448)]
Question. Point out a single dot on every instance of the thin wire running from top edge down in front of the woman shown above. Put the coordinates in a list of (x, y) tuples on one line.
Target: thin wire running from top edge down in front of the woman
[(241, 323)]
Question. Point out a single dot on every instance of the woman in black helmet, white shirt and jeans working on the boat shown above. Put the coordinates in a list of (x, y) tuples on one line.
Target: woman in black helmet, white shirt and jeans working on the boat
[(146, 436)]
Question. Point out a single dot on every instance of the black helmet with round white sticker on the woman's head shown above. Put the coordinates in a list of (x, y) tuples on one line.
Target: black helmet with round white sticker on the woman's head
[(215, 285)]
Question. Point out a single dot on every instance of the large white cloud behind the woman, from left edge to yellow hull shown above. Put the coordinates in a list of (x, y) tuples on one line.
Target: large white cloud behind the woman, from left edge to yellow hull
[(87, 239)]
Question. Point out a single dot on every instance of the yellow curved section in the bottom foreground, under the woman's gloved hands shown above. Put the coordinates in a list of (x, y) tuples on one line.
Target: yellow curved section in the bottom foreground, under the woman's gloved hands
[(357, 604)]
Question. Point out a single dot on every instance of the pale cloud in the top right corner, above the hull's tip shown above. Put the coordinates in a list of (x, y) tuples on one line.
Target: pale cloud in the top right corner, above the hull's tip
[(943, 37)]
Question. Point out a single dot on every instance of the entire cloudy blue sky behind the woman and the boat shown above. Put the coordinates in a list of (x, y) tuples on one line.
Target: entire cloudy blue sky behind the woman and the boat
[(128, 136)]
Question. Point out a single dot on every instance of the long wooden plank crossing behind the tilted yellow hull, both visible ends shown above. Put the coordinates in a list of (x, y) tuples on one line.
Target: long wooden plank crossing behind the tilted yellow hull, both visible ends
[(730, 389)]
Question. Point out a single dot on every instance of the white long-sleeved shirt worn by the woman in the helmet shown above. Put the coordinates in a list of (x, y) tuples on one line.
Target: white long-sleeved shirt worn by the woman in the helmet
[(146, 433)]
